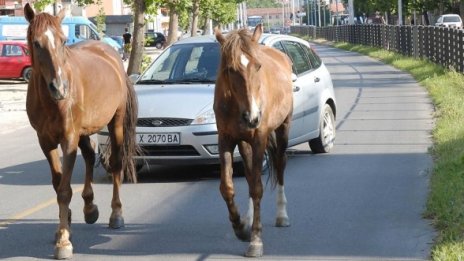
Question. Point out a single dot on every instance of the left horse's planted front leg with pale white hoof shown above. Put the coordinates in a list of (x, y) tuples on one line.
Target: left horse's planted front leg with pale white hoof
[(63, 245)]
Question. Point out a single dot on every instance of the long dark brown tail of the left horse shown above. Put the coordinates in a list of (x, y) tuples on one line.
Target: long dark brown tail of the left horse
[(130, 146)]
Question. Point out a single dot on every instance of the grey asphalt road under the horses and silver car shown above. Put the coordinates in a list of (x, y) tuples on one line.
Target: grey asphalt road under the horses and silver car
[(363, 201)]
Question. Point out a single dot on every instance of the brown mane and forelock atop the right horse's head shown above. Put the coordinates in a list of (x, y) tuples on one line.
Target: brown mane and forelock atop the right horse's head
[(237, 42)]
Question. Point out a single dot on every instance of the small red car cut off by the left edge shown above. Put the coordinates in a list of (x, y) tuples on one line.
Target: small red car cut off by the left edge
[(15, 61)]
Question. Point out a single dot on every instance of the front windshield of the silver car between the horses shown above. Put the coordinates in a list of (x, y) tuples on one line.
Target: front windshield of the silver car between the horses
[(185, 63)]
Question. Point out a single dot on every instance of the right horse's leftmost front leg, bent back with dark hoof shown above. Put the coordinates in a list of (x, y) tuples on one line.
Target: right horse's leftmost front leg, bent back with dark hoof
[(226, 148)]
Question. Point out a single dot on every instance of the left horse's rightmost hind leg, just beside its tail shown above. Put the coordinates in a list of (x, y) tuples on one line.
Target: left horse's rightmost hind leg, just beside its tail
[(116, 136)]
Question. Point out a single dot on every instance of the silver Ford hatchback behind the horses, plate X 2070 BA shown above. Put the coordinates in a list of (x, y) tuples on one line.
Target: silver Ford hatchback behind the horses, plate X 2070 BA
[(176, 122)]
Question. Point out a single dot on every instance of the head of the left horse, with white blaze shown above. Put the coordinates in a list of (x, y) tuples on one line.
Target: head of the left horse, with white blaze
[(46, 42)]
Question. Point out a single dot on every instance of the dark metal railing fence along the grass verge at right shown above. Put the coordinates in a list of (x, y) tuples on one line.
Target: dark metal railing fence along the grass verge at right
[(441, 45)]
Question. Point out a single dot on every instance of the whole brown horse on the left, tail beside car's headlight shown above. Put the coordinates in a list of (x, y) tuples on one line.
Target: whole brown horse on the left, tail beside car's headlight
[(74, 92)]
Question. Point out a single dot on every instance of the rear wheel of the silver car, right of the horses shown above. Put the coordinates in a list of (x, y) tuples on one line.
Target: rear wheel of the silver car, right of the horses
[(324, 143)]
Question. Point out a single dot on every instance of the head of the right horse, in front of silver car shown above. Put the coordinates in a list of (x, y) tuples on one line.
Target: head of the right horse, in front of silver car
[(240, 67)]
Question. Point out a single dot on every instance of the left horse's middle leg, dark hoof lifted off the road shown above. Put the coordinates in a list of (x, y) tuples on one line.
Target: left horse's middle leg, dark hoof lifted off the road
[(87, 147)]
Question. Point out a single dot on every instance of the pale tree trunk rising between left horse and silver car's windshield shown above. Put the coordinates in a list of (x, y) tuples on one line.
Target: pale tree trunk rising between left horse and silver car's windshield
[(136, 56)]
